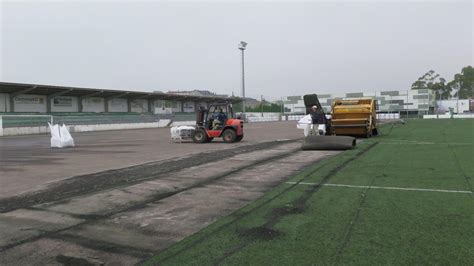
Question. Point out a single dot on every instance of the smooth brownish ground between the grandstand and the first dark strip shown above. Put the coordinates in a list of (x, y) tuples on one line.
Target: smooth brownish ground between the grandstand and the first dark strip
[(27, 163)]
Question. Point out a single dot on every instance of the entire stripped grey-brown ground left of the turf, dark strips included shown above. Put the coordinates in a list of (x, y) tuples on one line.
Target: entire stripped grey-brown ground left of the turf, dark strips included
[(122, 196)]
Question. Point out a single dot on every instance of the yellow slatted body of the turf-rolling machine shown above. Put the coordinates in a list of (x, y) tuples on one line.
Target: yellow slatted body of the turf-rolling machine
[(355, 117)]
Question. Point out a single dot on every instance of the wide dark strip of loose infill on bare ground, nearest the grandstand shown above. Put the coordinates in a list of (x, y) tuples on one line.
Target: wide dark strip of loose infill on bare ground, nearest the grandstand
[(85, 184)]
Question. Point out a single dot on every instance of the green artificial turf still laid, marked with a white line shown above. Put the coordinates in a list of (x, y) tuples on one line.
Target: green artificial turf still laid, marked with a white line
[(311, 224)]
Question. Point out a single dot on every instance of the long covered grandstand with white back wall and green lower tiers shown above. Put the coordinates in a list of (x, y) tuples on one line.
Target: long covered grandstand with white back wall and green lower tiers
[(33, 105)]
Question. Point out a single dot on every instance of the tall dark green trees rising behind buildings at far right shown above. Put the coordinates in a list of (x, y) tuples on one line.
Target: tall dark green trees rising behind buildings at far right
[(462, 85)]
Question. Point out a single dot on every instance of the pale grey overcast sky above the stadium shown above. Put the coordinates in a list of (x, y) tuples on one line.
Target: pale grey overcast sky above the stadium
[(294, 48)]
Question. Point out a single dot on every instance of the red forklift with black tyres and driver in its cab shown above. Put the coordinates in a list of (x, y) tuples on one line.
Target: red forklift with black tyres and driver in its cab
[(217, 121)]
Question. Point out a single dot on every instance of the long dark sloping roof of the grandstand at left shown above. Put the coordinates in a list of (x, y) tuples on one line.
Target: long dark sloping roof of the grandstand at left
[(50, 90)]
